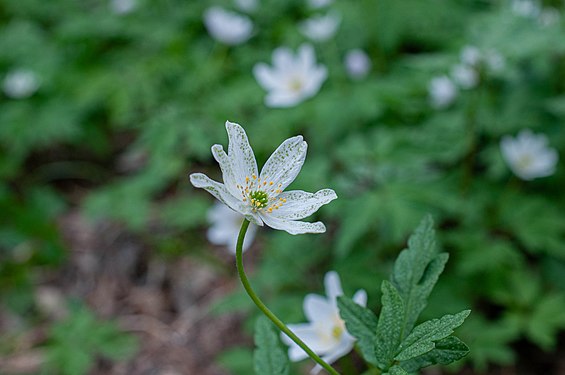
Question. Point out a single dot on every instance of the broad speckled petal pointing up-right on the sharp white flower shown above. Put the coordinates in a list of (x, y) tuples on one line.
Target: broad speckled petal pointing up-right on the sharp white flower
[(285, 163)]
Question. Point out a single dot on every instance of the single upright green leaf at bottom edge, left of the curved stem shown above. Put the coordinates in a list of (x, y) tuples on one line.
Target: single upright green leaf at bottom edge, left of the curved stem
[(269, 357)]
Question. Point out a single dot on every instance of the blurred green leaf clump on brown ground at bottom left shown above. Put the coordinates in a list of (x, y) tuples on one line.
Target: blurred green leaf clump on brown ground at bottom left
[(75, 342)]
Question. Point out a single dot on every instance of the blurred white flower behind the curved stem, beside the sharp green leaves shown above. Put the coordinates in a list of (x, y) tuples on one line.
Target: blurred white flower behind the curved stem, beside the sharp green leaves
[(325, 333)]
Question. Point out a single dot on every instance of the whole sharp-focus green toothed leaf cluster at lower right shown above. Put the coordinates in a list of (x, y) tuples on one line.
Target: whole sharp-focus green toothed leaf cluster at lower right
[(392, 343)]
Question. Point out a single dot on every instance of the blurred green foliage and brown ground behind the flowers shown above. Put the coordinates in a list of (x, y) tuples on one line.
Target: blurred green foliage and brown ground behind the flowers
[(106, 106)]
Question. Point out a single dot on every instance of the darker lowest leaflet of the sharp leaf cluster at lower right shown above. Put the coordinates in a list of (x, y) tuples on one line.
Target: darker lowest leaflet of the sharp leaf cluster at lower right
[(446, 351)]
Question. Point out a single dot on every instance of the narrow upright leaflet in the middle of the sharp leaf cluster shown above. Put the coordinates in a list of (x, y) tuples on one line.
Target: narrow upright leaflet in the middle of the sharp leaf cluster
[(389, 328)]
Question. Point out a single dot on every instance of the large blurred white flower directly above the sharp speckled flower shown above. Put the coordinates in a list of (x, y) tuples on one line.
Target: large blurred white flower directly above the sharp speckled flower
[(292, 79)]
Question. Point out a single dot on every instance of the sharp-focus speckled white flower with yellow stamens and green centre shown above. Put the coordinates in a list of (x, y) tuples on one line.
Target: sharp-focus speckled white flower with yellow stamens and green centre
[(261, 197)]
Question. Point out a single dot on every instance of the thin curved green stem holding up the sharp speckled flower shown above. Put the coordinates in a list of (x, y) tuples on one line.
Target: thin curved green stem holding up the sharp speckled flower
[(265, 309)]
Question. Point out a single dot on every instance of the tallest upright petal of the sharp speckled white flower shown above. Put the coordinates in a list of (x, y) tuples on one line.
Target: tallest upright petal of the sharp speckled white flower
[(240, 152)]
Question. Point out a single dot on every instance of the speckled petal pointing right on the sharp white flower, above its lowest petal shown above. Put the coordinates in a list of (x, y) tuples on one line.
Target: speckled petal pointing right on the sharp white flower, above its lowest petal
[(300, 204)]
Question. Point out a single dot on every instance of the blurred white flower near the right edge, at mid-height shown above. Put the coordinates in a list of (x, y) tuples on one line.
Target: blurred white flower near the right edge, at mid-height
[(528, 155)]
